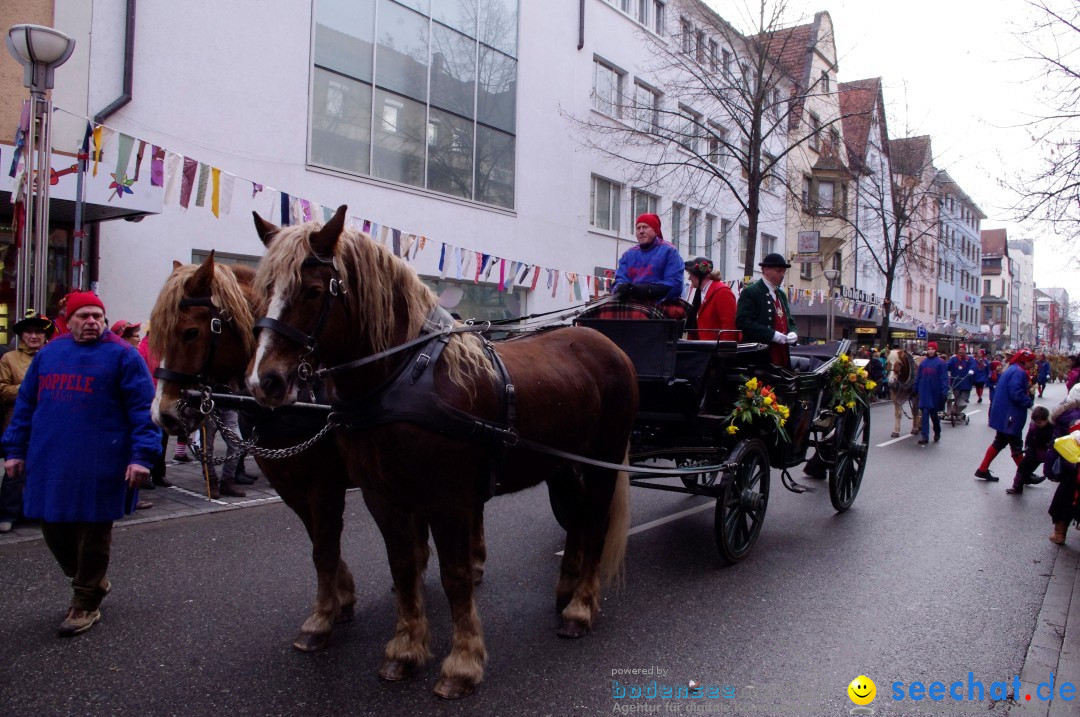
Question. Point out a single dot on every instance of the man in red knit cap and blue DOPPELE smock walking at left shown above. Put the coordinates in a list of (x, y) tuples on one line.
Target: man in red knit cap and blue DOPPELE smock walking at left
[(83, 436)]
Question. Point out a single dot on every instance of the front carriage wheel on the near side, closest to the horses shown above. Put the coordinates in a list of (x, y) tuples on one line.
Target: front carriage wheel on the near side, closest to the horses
[(740, 510)]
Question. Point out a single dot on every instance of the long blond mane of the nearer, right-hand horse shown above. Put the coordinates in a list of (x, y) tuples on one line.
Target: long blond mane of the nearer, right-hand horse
[(375, 279)]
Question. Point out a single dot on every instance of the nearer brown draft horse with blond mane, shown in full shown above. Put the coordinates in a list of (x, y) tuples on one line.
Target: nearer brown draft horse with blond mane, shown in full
[(576, 391)]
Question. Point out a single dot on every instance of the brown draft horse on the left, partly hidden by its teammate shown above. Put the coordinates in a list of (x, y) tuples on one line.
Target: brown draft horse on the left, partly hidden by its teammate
[(313, 483)]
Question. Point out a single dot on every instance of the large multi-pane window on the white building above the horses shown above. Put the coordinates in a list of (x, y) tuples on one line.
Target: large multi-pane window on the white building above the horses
[(424, 94)]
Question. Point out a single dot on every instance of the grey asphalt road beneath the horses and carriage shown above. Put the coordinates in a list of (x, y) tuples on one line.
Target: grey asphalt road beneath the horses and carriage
[(931, 575)]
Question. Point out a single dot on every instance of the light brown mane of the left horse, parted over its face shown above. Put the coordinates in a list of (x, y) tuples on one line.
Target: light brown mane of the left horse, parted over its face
[(227, 295)]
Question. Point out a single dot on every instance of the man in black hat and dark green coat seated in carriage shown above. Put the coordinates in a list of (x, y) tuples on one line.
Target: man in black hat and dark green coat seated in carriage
[(763, 314)]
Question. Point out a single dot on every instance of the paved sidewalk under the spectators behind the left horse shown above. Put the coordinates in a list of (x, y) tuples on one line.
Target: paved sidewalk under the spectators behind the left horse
[(187, 497)]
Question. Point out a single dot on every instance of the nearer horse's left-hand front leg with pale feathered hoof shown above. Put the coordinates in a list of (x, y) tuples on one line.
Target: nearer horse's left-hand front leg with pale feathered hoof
[(407, 539)]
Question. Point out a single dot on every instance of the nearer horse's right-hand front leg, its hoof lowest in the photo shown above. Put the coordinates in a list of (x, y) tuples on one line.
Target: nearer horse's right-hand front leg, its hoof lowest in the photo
[(464, 668)]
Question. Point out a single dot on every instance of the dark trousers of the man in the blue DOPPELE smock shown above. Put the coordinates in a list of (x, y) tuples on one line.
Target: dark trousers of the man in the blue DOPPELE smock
[(83, 551)]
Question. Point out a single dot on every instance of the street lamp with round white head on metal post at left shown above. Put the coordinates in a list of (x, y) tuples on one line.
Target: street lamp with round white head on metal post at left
[(40, 50)]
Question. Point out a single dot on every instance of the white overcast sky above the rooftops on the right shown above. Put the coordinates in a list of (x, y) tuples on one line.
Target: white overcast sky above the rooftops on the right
[(951, 70)]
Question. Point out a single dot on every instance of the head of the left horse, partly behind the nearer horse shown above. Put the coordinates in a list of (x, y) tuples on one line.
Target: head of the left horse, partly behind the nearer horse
[(201, 331)]
